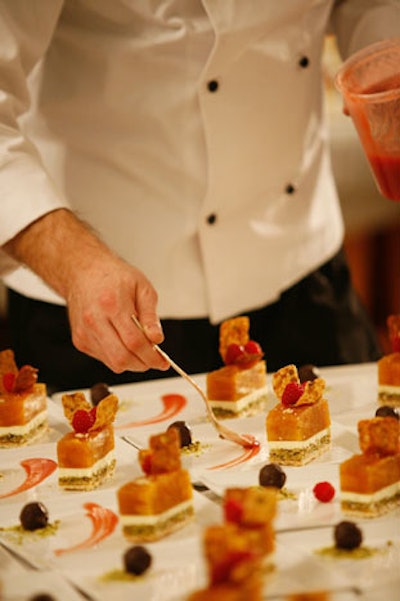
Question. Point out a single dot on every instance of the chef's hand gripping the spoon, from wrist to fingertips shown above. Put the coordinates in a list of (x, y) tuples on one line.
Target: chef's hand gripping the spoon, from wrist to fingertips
[(100, 303)]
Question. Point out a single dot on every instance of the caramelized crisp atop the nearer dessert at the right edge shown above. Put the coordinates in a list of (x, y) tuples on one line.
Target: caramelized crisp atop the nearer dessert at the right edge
[(379, 435)]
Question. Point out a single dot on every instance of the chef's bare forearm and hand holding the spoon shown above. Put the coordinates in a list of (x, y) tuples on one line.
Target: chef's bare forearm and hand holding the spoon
[(101, 290)]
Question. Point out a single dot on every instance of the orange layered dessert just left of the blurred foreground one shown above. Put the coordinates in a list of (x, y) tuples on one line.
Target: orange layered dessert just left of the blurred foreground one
[(160, 501)]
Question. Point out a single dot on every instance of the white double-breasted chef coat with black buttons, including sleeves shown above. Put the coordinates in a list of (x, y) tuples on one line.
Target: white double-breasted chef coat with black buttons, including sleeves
[(189, 134)]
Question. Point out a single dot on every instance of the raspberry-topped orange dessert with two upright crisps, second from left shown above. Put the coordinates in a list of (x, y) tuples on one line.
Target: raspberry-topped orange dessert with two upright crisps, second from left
[(86, 455)]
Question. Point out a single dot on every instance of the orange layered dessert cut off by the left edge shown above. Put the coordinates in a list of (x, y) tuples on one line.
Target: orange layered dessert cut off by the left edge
[(23, 403)]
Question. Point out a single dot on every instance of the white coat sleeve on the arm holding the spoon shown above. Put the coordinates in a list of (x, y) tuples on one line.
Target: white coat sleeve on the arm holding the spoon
[(26, 190)]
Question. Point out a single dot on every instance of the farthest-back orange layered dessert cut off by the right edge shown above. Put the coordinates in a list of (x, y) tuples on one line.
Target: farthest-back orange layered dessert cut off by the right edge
[(389, 367)]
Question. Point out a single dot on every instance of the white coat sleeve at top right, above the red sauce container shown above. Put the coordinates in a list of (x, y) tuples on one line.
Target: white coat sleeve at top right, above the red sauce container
[(358, 23)]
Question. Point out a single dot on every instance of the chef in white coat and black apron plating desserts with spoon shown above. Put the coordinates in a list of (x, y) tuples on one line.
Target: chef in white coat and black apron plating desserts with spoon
[(169, 159)]
